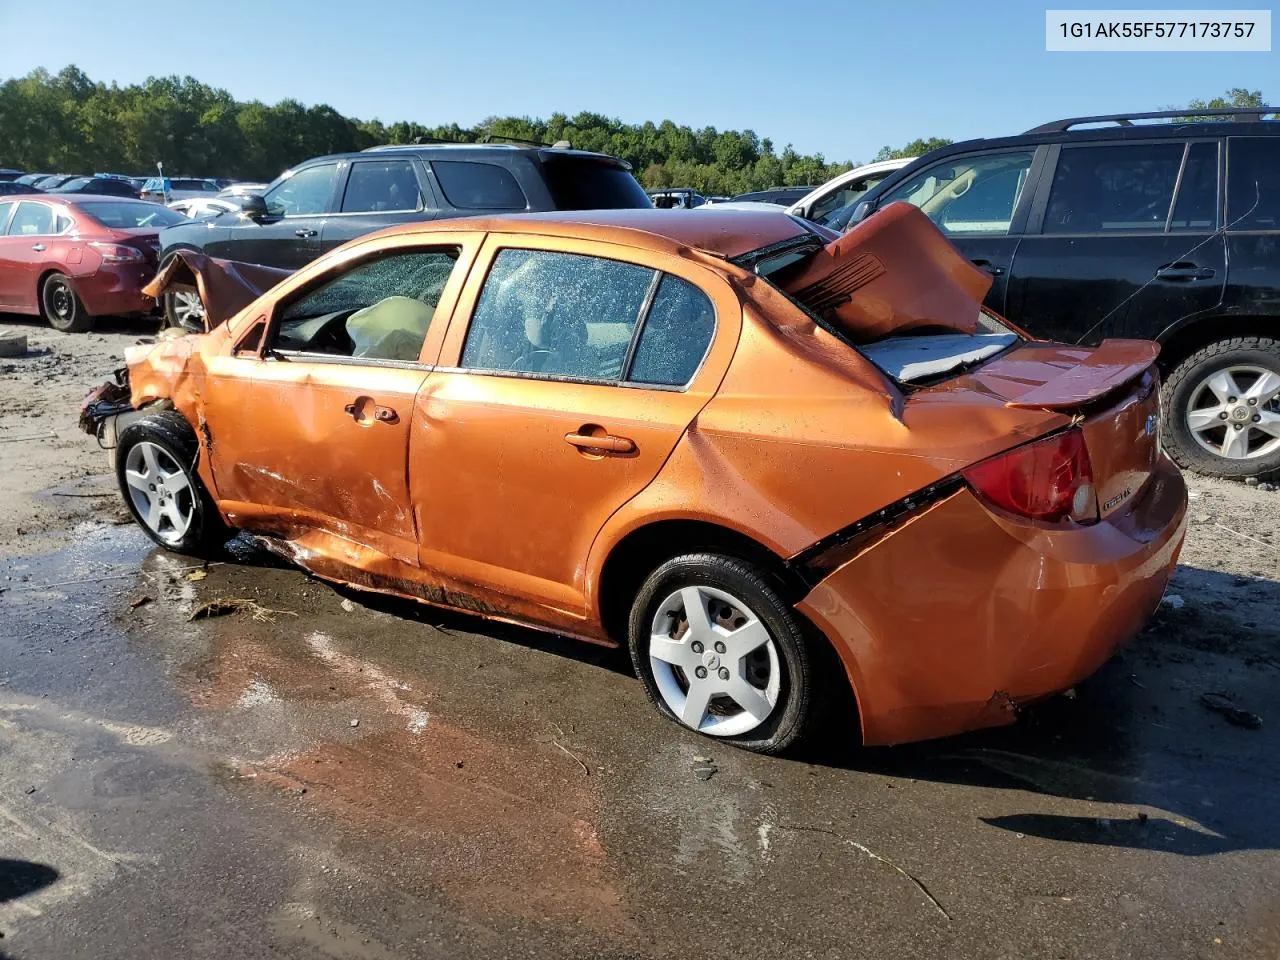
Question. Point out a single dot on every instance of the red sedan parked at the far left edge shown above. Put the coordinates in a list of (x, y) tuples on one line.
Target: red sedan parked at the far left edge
[(74, 259)]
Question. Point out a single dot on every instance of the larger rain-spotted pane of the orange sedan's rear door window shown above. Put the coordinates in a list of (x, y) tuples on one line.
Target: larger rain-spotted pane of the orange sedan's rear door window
[(557, 314)]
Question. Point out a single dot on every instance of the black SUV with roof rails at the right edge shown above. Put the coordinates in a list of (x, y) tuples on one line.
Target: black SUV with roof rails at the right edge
[(1101, 227)]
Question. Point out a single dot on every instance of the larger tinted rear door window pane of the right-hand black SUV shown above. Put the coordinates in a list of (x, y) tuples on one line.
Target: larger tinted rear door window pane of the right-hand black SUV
[(1114, 188)]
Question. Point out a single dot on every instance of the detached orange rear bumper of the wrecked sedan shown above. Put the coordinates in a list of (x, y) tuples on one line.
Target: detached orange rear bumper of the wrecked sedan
[(952, 621)]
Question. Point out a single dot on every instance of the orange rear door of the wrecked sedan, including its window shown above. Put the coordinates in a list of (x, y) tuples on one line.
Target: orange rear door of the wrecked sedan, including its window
[(574, 382)]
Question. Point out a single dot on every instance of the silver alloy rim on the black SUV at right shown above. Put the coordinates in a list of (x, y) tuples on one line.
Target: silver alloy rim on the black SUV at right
[(1236, 414)]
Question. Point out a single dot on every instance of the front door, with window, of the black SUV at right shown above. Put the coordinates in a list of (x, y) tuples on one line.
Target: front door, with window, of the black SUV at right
[(981, 203)]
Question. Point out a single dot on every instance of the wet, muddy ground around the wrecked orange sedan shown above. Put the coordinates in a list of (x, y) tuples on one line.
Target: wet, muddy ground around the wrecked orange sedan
[(341, 778)]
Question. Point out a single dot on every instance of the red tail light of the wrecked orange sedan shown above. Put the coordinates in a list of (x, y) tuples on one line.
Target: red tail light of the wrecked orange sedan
[(1050, 481)]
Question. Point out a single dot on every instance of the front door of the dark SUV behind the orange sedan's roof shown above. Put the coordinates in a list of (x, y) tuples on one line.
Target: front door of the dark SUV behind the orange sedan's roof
[(380, 194)]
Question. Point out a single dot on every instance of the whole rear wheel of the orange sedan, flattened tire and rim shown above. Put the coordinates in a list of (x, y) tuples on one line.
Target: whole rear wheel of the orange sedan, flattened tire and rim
[(723, 653)]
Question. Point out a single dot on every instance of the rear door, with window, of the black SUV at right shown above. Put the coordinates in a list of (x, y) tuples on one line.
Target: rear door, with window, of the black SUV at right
[(1123, 241)]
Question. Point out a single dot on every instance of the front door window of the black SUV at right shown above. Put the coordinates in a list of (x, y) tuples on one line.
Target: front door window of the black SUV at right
[(968, 196)]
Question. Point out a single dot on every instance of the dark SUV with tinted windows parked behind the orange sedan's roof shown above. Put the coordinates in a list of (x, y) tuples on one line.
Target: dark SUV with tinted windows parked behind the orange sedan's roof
[(331, 200)]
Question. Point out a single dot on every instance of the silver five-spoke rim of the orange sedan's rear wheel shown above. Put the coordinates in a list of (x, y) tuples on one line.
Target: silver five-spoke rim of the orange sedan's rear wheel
[(714, 661)]
